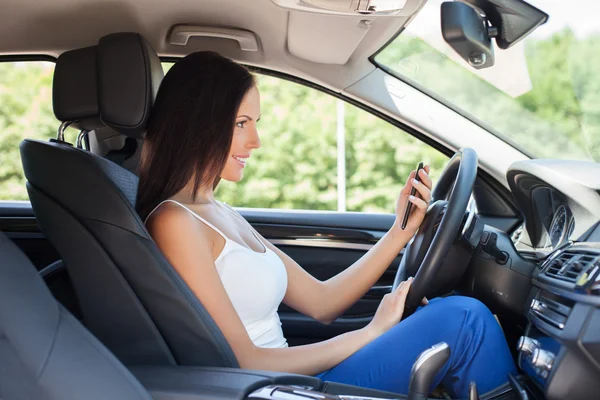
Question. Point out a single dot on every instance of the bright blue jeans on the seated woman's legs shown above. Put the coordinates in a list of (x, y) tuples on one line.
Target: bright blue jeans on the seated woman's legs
[(478, 350)]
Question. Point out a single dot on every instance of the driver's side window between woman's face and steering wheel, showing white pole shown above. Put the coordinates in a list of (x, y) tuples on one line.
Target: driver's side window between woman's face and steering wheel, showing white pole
[(303, 133)]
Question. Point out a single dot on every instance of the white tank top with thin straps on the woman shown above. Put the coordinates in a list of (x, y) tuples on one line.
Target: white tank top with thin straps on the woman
[(255, 283)]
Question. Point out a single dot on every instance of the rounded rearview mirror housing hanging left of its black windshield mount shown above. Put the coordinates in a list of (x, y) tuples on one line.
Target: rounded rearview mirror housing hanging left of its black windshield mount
[(466, 31)]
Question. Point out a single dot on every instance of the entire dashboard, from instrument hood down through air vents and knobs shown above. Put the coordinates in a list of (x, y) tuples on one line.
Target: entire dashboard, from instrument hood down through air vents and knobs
[(560, 349)]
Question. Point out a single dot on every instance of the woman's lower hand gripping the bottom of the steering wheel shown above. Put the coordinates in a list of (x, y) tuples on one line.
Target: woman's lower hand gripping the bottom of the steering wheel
[(390, 310)]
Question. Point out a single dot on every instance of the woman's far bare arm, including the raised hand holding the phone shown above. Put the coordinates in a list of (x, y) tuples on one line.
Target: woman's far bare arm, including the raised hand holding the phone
[(325, 301)]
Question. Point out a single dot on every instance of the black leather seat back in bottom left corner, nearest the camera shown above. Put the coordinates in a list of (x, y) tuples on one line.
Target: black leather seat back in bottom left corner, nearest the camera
[(45, 353)]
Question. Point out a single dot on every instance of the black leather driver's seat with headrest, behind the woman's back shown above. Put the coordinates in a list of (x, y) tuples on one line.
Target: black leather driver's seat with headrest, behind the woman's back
[(130, 296)]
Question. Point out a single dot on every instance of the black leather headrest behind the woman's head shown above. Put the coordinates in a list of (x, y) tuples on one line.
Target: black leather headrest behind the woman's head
[(112, 84)]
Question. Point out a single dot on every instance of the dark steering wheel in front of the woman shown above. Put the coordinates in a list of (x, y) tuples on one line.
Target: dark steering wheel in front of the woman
[(437, 256)]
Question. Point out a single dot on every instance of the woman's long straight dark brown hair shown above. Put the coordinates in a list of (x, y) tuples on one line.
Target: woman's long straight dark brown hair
[(191, 127)]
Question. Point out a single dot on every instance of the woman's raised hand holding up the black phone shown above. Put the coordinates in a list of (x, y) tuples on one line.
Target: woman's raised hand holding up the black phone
[(420, 201)]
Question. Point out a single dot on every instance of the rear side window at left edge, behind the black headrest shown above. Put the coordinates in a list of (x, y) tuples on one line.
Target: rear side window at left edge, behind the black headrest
[(25, 112)]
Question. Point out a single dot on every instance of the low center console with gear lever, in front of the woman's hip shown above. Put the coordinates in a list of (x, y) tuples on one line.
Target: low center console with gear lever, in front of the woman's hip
[(192, 383)]
